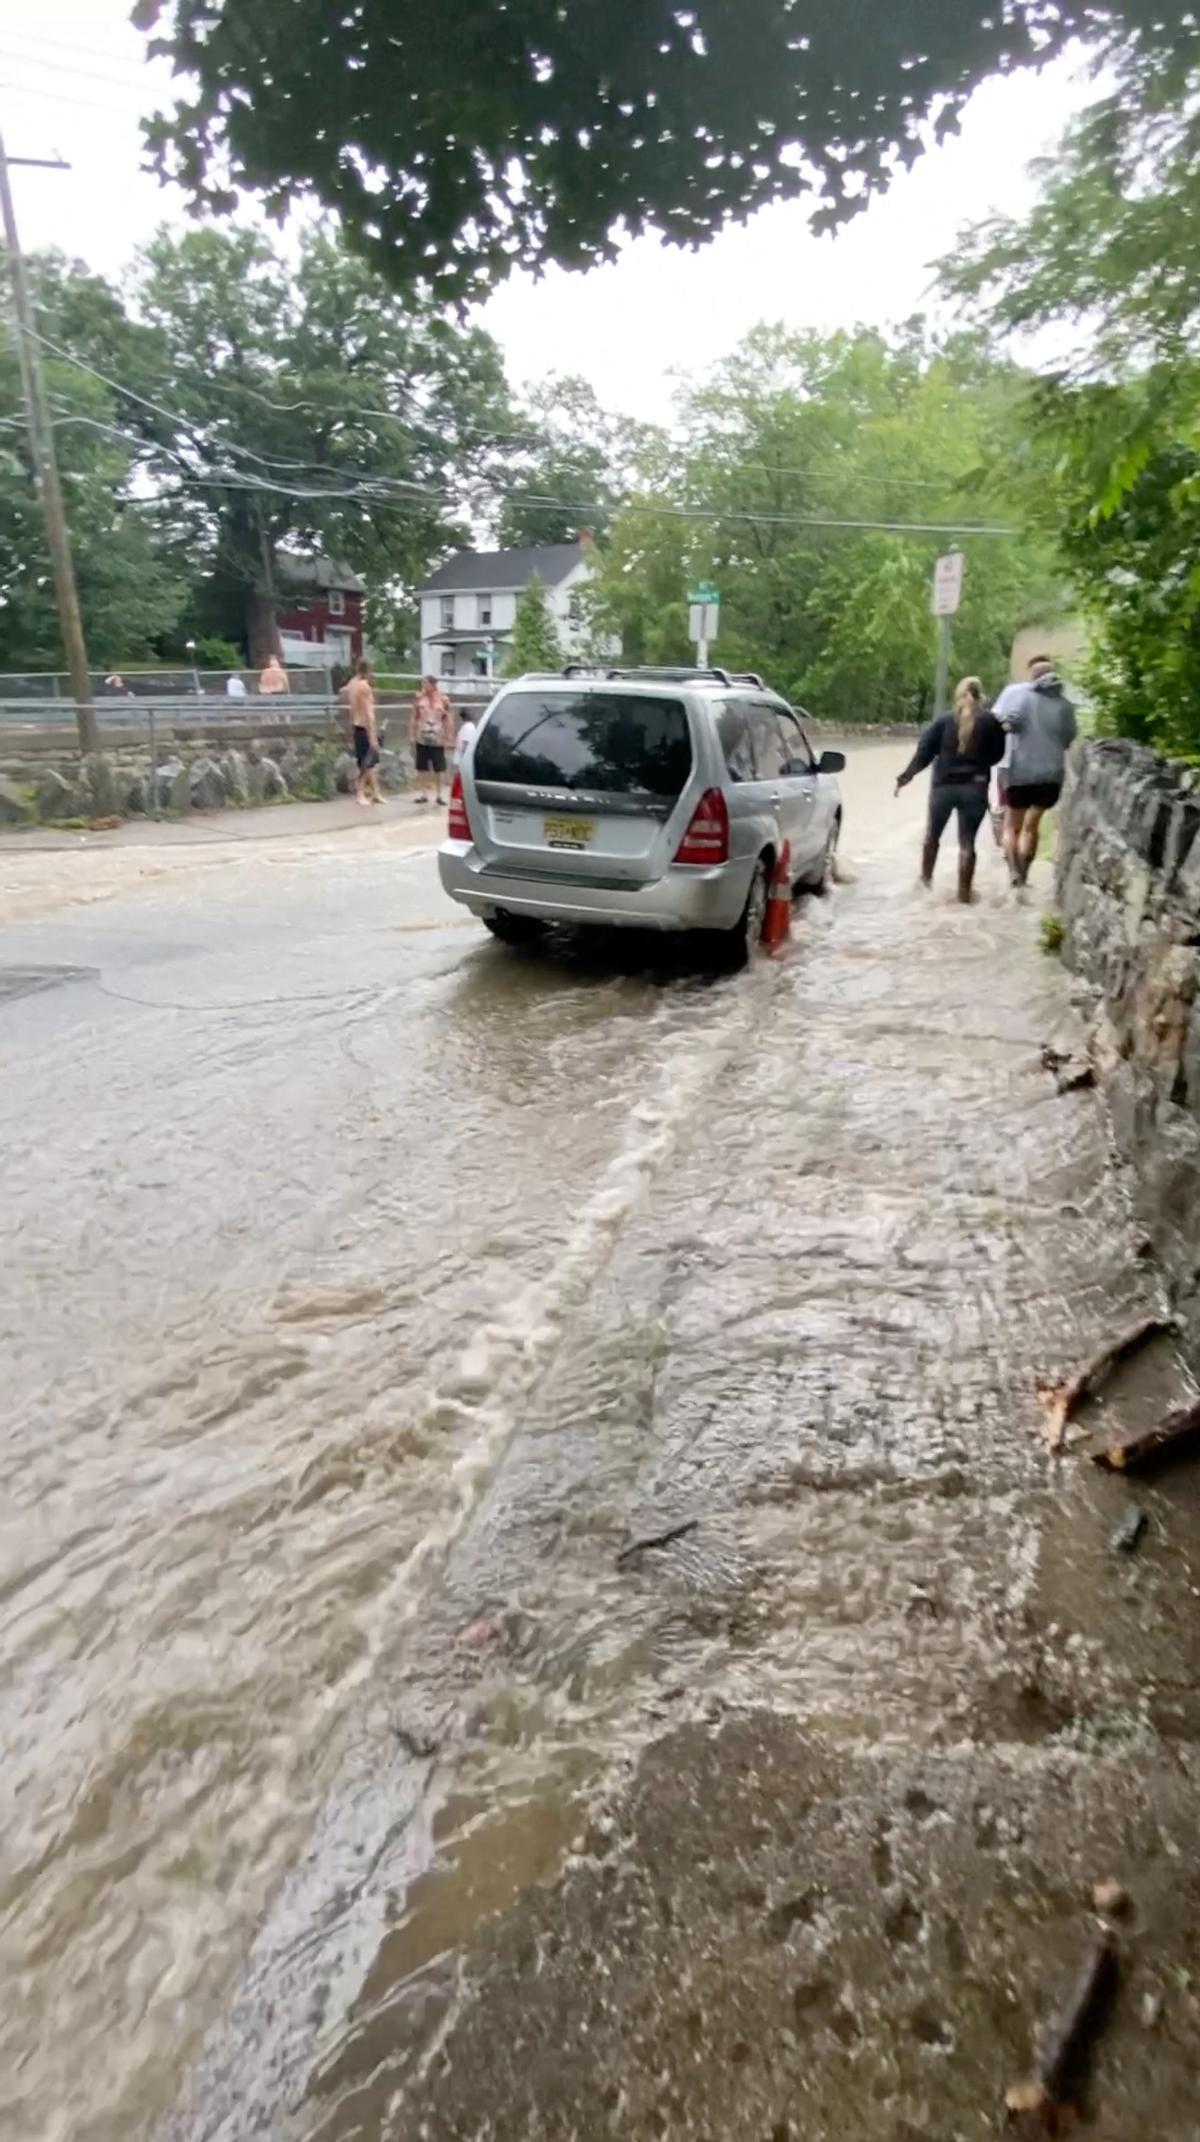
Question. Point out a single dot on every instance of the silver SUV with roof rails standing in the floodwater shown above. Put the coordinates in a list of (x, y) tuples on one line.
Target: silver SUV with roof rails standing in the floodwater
[(655, 800)]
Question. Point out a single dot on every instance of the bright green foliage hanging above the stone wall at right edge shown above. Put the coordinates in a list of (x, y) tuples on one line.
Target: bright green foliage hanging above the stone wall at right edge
[(1113, 474)]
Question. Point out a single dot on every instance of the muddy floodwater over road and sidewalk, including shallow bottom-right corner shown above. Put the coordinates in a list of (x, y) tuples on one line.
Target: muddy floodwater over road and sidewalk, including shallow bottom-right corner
[(365, 1293)]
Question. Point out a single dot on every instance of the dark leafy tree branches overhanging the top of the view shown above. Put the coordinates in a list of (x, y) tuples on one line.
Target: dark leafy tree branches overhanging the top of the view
[(462, 142)]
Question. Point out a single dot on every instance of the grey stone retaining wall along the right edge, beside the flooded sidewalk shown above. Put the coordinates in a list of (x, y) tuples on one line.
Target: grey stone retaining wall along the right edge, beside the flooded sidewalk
[(1130, 901)]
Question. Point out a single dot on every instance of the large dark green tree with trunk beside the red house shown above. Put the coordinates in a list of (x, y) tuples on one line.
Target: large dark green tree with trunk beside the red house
[(305, 410)]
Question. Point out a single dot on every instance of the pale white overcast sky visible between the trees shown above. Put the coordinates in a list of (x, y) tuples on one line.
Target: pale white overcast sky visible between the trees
[(74, 80)]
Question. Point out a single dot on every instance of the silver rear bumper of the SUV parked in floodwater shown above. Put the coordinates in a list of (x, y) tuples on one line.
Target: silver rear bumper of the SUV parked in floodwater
[(680, 901)]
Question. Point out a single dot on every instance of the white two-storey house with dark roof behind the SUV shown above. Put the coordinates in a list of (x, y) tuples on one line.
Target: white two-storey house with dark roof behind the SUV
[(468, 607)]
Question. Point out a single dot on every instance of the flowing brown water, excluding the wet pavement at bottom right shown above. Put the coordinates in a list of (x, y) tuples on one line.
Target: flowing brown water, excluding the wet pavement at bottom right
[(365, 1288)]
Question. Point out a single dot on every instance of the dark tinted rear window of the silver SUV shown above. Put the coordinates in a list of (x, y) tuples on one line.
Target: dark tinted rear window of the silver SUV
[(586, 740)]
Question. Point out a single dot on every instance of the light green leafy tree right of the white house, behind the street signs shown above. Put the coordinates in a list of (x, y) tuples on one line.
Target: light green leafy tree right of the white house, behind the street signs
[(805, 459)]
